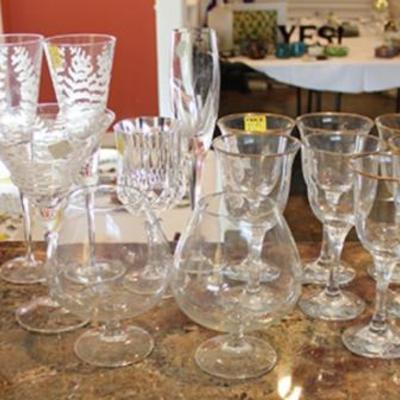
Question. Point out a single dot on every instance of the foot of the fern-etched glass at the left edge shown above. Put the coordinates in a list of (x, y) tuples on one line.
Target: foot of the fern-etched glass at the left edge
[(22, 271)]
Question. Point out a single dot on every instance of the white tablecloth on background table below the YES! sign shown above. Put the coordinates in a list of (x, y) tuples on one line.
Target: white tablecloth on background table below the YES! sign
[(359, 72)]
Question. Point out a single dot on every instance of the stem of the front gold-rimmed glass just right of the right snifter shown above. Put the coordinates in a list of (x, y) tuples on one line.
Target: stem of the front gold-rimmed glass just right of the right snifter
[(336, 236)]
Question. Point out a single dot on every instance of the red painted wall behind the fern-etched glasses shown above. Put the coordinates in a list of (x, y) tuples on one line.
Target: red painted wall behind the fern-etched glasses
[(134, 82)]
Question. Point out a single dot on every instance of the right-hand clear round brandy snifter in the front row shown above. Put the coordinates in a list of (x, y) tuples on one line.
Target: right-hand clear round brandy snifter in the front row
[(221, 229)]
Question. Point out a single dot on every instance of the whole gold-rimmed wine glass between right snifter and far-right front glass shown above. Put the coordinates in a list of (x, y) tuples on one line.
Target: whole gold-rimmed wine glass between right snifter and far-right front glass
[(330, 193)]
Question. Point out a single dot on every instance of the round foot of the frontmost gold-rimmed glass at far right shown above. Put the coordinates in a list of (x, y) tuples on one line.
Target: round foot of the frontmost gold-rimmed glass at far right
[(363, 341)]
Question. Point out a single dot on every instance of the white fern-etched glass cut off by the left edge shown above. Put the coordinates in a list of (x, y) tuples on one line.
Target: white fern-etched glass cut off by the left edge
[(20, 66)]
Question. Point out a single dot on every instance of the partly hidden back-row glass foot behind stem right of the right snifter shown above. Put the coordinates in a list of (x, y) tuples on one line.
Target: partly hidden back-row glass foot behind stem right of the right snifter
[(317, 273)]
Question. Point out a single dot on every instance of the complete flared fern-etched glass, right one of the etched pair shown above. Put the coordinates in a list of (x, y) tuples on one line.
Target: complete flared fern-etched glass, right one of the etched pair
[(80, 67)]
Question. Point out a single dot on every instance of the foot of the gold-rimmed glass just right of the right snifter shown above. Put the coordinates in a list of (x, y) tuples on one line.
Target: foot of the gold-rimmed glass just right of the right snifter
[(342, 307)]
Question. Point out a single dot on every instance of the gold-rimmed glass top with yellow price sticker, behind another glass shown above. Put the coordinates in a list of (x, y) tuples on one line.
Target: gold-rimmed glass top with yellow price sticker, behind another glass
[(261, 123)]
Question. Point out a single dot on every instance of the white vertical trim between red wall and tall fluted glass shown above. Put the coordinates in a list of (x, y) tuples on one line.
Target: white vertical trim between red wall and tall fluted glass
[(170, 14)]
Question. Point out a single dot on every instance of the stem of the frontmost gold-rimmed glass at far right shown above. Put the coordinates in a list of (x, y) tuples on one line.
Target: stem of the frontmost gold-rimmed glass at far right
[(383, 268)]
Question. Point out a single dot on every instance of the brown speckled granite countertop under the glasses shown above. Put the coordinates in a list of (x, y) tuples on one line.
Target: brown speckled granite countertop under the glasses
[(313, 364)]
